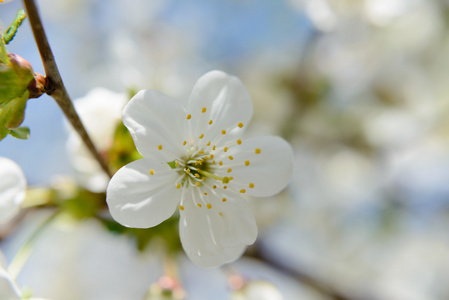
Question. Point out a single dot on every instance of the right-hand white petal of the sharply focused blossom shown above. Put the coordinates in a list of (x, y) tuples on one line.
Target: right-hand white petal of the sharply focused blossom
[(269, 171)]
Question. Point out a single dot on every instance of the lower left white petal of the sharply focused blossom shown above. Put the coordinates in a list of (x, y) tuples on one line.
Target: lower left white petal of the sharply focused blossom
[(138, 199)]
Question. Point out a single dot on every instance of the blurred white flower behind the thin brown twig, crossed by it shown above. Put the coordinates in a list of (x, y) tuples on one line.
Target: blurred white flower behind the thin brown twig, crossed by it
[(100, 112)]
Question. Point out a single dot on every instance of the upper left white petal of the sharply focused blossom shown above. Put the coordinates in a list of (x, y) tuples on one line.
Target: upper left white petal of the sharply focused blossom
[(156, 119)]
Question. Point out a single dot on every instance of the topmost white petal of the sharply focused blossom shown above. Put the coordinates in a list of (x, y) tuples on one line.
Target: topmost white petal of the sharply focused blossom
[(227, 104)]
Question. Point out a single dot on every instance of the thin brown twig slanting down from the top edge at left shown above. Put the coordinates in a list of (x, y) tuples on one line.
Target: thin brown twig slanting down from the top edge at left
[(54, 85)]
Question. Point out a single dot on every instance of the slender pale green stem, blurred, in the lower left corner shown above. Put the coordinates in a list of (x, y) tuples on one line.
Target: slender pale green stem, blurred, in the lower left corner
[(24, 252)]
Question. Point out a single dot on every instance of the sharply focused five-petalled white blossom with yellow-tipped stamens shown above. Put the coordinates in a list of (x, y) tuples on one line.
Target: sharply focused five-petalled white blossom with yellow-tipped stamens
[(194, 159)]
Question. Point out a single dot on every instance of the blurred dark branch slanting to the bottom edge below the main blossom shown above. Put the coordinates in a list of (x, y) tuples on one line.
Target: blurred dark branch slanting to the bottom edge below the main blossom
[(316, 284)]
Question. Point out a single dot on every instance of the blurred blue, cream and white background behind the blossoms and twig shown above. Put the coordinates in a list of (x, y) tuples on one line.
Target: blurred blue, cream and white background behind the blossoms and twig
[(358, 87)]
